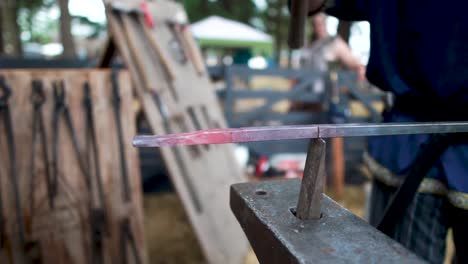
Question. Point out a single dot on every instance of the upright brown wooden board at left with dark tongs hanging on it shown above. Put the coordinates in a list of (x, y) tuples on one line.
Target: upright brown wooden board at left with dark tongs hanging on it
[(57, 217)]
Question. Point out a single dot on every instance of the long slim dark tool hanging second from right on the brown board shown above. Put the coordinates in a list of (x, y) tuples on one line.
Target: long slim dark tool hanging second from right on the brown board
[(98, 217)]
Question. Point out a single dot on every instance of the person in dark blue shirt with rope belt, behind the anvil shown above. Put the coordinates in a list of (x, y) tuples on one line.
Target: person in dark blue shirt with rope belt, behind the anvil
[(419, 52)]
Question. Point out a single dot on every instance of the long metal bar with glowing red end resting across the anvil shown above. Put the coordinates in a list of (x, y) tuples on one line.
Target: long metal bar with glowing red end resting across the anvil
[(249, 134)]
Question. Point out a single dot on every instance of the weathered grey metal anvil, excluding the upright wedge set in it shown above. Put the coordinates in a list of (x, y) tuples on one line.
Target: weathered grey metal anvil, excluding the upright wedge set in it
[(264, 211)]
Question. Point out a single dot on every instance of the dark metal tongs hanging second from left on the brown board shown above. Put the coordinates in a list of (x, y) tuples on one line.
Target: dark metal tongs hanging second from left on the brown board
[(39, 133)]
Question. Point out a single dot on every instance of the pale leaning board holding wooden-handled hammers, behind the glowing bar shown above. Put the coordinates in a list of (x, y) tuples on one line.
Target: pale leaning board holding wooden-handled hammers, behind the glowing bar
[(176, 95)]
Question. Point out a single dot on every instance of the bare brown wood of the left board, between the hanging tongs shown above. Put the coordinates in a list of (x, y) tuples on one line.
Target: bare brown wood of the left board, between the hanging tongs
[(63, 233)]
